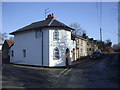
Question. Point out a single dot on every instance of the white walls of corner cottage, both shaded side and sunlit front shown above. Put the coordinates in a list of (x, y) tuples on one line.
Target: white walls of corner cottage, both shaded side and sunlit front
[(33, 47)]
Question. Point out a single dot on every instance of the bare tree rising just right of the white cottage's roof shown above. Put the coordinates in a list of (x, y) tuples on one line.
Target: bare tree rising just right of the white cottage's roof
[(78, 29)]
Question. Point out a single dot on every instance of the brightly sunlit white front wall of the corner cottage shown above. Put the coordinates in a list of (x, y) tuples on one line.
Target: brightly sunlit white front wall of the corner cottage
[(63, 43)]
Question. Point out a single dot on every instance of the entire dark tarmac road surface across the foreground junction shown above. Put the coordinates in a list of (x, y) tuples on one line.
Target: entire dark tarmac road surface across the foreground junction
[(101, 73)]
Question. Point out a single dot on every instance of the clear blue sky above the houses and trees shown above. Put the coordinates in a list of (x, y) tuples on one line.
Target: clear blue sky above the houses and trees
[(16, 15)]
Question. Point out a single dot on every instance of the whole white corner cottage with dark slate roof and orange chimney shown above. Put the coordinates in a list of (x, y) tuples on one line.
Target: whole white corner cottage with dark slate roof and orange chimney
[(43, 43)]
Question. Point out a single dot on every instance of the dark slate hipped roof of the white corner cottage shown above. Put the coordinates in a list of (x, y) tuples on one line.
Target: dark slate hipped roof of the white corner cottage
[(49, 22)]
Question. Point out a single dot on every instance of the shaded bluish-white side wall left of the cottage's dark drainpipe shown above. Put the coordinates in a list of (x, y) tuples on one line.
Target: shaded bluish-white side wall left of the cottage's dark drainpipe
[(32, 46)]
